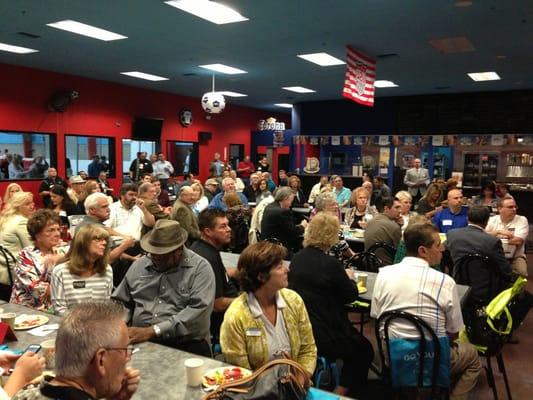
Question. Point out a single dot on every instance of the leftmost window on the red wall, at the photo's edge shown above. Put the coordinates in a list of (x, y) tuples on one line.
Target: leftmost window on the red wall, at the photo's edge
[(26, 155)]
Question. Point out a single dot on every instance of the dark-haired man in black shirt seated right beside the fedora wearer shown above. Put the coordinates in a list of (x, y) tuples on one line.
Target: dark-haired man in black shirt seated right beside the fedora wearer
[(216, 234)]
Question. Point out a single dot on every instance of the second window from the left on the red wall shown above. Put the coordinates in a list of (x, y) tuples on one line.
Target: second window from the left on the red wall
[(81, 152)]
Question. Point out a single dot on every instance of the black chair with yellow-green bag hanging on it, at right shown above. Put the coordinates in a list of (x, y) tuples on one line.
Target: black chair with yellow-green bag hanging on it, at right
[(484, 288)]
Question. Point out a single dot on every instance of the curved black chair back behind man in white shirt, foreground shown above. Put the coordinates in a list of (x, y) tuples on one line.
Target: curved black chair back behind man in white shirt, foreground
[(424, 346)]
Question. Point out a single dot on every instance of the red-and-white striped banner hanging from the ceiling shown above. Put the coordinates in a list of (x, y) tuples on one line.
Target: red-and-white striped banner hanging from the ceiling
[(360, 77)]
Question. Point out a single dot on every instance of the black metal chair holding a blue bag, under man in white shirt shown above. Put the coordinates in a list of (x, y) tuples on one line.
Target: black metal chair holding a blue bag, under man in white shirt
[(423, 329)]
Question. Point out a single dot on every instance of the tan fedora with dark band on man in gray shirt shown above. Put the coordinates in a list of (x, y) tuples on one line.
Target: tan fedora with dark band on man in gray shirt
[(166, 237)]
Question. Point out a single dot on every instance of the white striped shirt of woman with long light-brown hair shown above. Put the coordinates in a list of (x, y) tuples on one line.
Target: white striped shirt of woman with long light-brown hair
[(68, 289)]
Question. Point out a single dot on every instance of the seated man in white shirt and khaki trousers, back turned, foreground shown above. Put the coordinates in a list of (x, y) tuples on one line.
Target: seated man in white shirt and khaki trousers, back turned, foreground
[(413, 286)]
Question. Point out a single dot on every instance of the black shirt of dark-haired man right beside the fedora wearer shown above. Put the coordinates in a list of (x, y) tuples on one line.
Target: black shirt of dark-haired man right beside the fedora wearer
[(224, 287)]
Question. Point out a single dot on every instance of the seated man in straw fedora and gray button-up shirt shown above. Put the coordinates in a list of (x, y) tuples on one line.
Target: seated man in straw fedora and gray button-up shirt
[(170, 292)]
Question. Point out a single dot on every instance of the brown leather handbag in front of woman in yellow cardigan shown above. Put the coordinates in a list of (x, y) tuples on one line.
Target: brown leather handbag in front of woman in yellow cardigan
[(278, 379)]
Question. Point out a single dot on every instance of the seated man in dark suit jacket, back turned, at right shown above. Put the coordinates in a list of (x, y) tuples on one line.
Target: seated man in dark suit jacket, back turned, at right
[(473, 239)]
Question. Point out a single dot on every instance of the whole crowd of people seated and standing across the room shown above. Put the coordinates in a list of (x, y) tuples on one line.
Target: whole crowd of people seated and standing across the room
[(155, 250)]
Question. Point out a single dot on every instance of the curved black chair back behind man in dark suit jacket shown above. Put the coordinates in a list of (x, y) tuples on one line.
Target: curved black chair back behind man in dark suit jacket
[(475, 271)]
